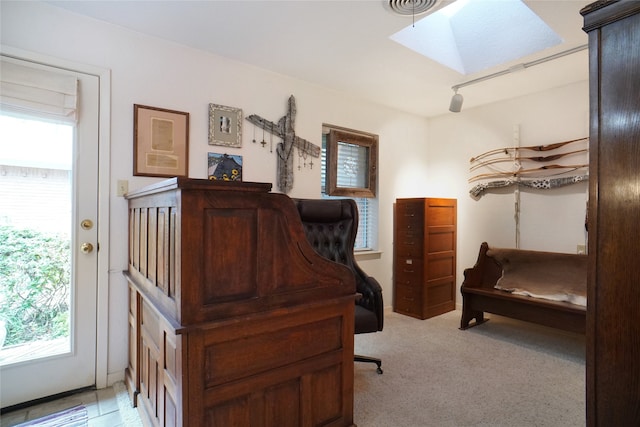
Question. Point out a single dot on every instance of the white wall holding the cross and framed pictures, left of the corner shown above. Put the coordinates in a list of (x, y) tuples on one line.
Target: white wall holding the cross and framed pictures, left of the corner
[(153, 72)]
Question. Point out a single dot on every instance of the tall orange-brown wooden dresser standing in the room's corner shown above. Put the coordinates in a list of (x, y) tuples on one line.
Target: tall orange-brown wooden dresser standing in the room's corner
[(424, 273)]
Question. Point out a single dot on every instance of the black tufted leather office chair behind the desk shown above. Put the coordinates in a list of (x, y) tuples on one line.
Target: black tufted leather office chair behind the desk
[(331, 226)]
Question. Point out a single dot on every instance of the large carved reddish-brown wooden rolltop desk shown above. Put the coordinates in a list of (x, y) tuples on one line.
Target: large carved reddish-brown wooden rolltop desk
[(234, 320)]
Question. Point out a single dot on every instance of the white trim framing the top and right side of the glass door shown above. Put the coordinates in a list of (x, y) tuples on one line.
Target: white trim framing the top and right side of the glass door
[(104, 171)]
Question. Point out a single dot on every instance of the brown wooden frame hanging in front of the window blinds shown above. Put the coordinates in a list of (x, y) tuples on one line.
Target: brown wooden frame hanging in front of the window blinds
[(360, 139)]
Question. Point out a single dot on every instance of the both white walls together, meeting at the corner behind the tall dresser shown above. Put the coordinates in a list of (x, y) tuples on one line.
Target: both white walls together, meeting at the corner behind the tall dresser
[(417, 157)]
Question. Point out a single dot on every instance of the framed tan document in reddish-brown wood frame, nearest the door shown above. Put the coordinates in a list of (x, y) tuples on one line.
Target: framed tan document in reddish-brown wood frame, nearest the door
[(160, 142)]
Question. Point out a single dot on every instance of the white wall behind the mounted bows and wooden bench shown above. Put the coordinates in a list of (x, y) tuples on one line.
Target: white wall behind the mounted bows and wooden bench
[(550, 220)]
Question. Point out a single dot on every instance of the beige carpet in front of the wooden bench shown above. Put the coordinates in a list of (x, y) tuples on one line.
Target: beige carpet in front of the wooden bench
[(502, 373)]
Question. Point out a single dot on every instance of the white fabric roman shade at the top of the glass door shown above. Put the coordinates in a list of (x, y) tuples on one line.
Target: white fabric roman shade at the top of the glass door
[(32, 89)]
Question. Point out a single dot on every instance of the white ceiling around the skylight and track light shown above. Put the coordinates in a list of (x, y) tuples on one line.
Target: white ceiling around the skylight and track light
[(344, 45)]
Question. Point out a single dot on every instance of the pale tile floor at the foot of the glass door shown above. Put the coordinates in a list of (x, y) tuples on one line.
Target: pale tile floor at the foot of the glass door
[(108, 407)]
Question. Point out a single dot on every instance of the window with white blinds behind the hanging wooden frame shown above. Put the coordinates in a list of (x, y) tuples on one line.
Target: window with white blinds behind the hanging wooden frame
[(352, 173)]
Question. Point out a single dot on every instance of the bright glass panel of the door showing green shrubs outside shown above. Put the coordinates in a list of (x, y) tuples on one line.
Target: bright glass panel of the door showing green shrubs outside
[(35, 238)]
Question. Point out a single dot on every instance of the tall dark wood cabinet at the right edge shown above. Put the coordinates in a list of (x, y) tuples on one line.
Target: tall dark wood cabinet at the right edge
[(613, 310)]
